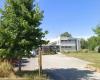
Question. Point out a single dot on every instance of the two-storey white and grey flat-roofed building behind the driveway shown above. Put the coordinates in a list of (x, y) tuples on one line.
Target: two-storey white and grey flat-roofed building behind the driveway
[(66, 44)]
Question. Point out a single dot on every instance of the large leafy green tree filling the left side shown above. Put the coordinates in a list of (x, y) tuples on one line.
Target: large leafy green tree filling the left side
[(19, 29)]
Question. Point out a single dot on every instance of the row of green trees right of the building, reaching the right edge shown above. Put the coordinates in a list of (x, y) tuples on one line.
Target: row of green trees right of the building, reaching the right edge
[(92, 42)]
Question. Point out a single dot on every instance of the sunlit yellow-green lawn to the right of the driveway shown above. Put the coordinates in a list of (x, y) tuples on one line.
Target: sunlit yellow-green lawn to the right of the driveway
[(91, 57)]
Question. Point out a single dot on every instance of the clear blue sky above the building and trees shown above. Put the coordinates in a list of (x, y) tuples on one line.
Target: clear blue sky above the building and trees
[(77, 17)]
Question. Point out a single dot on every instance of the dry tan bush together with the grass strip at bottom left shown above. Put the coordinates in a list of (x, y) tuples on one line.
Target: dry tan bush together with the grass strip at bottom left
[(6, 71)]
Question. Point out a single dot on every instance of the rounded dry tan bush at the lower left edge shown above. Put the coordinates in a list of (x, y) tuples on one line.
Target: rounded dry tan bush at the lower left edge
[(6, 69)]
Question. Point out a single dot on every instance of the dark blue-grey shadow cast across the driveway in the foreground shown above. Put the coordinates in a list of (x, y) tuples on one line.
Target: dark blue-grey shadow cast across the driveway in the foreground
[(68, 74)]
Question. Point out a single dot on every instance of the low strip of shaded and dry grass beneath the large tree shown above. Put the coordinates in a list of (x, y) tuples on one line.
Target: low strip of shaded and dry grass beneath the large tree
[(26, 75)]
